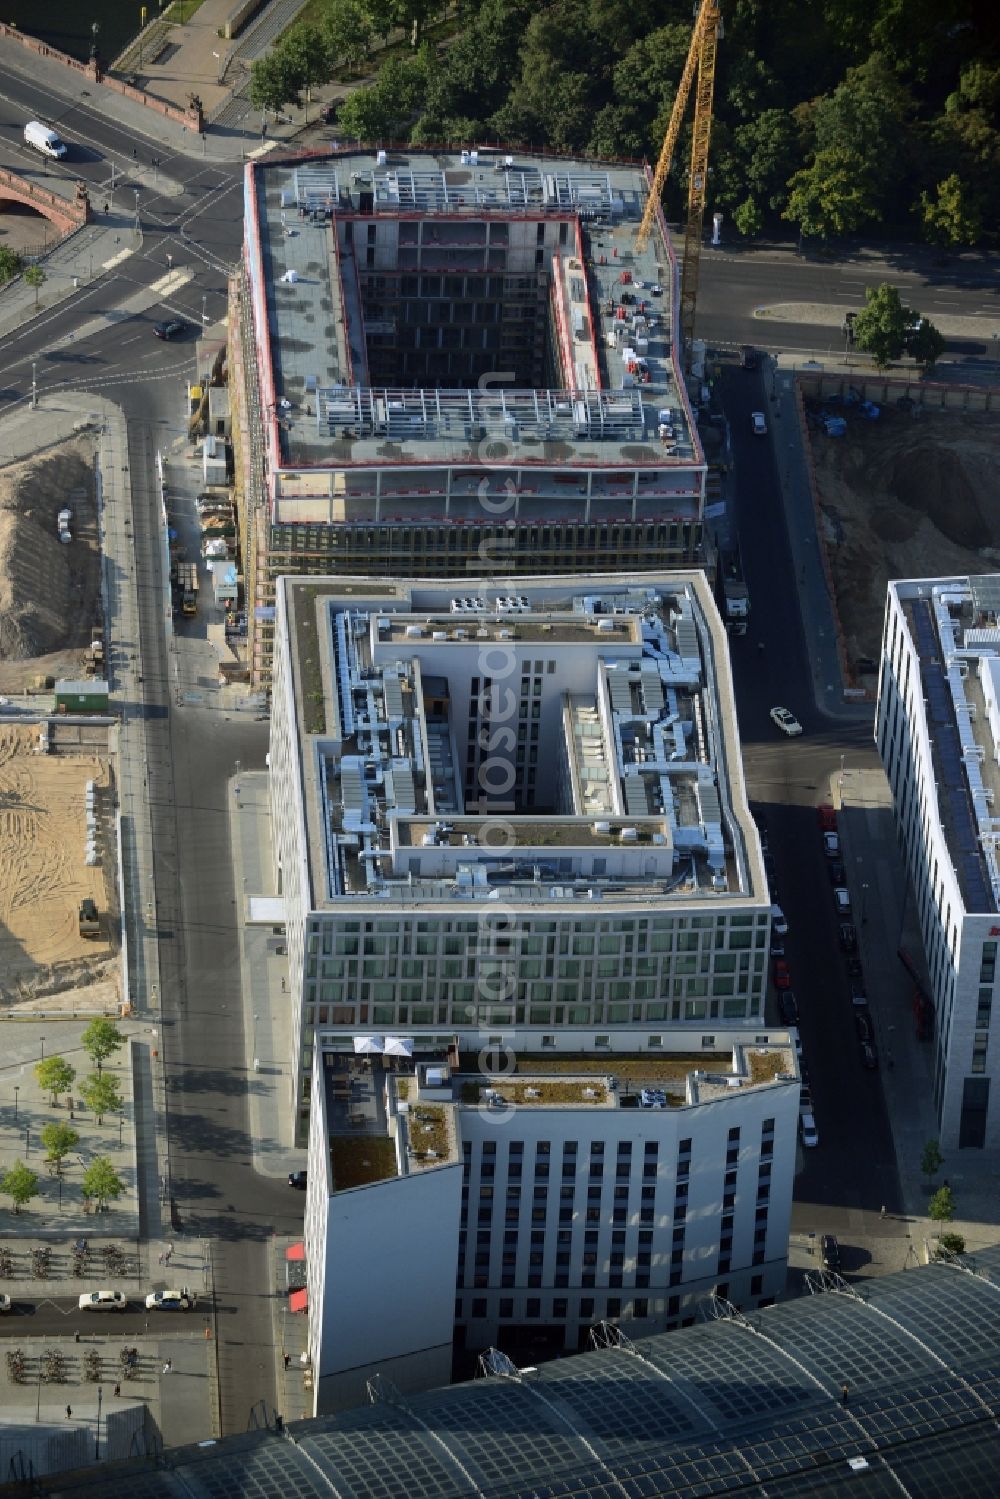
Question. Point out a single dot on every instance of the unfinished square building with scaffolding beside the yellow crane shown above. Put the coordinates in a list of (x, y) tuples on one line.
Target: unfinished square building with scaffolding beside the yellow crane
[(457, 365)]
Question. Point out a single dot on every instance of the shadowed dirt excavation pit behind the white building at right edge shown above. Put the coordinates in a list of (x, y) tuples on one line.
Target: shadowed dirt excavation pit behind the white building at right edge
[(914, 494)]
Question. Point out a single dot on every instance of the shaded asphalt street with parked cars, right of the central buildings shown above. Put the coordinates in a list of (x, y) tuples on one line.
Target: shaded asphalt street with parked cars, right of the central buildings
[(855, 1165)]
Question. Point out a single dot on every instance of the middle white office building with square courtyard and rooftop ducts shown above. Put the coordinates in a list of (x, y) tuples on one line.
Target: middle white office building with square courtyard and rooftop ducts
[(513, 812)]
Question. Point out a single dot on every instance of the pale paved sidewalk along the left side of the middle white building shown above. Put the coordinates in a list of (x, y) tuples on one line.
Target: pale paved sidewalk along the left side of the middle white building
[(266, 999)]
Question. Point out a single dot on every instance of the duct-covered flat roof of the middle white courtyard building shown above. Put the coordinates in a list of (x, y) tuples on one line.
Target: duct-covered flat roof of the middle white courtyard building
[(638, 741)]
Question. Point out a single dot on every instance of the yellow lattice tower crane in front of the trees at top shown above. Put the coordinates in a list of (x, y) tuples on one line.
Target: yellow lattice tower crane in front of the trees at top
[(701, 61)]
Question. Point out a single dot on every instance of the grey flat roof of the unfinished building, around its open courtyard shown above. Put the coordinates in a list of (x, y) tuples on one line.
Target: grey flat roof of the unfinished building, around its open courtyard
[(624, 405)]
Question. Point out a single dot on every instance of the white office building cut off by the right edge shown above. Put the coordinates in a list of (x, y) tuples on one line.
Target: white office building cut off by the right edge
[(939, 738)]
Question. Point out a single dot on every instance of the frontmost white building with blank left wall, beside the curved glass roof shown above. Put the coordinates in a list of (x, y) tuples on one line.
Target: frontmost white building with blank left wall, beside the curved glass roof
[(516, 1201)]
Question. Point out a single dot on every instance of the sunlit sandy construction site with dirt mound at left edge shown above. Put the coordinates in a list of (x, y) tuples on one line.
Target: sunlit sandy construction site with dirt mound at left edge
[(56, 782)]
